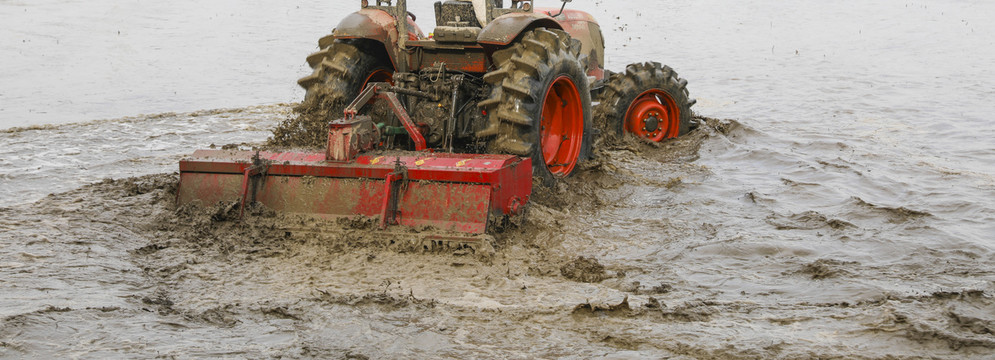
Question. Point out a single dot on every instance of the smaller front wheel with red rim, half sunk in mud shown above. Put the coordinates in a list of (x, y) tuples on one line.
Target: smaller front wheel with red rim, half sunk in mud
[(649, 101)]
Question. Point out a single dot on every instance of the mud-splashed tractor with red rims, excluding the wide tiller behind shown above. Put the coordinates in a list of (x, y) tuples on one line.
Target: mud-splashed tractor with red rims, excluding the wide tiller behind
[(518, 80)]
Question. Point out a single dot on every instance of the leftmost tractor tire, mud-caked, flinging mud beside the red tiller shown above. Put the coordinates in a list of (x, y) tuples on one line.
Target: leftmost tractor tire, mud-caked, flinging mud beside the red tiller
[(342, 68)]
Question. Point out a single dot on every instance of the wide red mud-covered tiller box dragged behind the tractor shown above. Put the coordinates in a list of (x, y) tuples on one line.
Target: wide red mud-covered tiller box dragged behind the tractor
[(450, 192)]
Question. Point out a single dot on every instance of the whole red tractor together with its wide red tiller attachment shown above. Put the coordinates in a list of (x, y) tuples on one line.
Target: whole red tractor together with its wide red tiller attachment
[(514, 82)]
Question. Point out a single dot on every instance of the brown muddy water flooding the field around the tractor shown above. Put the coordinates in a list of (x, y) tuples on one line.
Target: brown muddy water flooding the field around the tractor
[(846, 210)]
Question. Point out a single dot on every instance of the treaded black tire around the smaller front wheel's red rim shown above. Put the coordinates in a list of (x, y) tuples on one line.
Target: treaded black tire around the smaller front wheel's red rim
[(623, 89)]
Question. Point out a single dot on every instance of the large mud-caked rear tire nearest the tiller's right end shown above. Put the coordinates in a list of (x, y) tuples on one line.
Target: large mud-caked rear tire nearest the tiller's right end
[(526, 73)]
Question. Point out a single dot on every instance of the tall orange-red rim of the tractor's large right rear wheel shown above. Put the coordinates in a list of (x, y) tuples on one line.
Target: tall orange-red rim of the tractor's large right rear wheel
[(562, 126)]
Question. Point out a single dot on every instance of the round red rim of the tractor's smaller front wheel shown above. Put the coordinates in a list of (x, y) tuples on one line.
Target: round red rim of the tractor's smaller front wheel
[(653, 115)]
